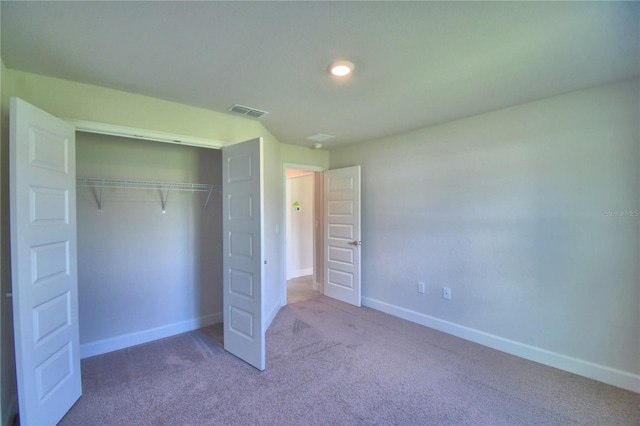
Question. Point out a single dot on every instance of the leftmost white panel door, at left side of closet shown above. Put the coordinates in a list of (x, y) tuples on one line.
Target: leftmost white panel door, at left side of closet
[(43, 263)]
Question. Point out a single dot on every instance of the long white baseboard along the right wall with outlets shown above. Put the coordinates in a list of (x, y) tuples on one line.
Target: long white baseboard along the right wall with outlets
[(602, 373)]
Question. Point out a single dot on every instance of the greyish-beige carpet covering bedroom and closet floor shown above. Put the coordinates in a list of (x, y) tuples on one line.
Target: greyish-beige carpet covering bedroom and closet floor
[(329, 363)]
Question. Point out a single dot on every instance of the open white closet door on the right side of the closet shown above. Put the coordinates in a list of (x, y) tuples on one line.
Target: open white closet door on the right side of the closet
[(243, 245)]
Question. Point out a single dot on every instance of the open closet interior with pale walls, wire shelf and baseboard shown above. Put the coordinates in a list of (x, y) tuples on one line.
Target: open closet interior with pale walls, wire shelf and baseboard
[(149, 230)]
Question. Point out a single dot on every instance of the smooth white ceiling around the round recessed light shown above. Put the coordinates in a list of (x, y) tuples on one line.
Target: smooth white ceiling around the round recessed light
[(417, 63)]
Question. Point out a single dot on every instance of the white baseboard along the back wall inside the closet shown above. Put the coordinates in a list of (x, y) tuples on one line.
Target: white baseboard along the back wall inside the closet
[(144, 336)]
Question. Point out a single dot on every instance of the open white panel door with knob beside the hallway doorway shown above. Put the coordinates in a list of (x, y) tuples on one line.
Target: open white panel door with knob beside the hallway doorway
[(342, 234)]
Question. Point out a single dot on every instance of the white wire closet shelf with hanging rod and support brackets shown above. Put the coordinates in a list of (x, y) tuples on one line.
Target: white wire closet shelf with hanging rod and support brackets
[(146, 184)]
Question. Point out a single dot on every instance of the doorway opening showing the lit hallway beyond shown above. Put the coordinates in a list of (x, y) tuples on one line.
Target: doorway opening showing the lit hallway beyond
[(303, 230)]
